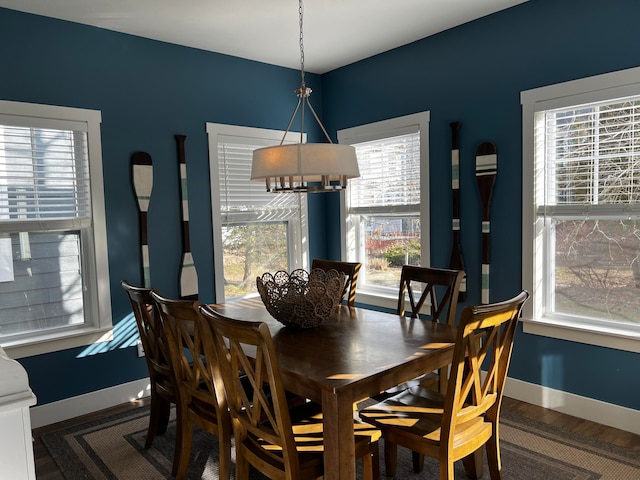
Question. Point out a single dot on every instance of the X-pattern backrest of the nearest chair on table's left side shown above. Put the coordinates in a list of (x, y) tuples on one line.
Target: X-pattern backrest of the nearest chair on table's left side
[(261, 414)]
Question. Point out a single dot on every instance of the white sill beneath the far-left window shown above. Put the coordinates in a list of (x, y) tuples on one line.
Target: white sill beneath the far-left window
[(54, 342)]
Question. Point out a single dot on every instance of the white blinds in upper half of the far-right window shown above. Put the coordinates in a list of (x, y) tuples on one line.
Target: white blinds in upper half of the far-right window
[(592, 154)]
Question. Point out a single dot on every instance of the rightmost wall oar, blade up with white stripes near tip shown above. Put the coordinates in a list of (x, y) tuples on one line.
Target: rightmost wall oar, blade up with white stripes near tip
[(486, 169)]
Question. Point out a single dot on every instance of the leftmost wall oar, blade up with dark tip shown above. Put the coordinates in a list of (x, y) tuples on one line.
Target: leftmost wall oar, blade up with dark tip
[(142, 185)]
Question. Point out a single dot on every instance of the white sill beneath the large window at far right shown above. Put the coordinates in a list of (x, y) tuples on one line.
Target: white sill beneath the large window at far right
[(620, 337)]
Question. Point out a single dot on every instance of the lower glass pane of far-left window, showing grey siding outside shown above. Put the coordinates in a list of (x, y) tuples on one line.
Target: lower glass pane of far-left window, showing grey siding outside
[(44, 289)]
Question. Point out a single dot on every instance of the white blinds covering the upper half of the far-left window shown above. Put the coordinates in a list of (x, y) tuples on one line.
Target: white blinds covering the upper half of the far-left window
[(44, 172)]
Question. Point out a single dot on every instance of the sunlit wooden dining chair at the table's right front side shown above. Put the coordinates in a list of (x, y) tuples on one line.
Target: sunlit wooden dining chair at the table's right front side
[(453, 426)]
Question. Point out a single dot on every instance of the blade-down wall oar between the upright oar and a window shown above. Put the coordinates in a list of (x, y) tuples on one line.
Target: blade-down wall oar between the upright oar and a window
[(188, 274)]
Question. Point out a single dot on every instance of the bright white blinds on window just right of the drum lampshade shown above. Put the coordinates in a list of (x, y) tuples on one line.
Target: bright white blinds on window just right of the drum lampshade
[(389, 175)]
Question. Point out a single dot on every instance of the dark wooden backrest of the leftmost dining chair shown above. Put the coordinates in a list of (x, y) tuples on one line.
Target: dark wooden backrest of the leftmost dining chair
[(156, 351)]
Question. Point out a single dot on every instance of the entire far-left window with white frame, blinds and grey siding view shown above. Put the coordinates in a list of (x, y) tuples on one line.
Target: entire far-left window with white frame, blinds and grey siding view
[(54, 280)]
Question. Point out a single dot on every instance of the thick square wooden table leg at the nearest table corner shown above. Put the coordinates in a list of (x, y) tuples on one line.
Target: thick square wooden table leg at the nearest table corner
[(339, 444)]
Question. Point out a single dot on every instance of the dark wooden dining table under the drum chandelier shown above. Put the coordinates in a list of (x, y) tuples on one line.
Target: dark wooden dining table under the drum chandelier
[(355, 354)]
